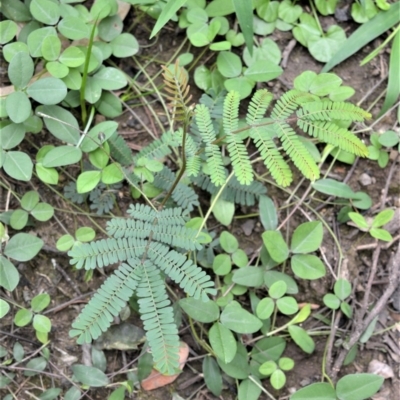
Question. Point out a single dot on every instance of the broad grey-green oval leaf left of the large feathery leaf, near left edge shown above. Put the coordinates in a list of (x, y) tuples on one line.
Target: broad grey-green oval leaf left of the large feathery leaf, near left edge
[(23, 247)]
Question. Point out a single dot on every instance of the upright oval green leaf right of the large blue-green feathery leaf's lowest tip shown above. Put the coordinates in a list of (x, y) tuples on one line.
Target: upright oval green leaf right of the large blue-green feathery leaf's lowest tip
[(223, 342)]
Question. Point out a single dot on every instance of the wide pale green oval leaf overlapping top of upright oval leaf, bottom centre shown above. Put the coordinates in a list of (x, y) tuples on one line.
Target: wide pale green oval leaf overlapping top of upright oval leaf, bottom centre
[(239, 320)]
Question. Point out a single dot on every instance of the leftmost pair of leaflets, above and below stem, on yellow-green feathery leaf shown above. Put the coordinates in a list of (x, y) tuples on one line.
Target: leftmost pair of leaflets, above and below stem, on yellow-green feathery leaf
[(213, 154)]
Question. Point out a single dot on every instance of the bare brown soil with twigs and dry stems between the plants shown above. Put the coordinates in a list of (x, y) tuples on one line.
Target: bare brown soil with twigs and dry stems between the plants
[(50, 271)]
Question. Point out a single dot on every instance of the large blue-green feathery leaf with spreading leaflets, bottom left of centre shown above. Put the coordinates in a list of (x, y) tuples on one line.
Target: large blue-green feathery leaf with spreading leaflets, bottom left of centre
[(142, 245)]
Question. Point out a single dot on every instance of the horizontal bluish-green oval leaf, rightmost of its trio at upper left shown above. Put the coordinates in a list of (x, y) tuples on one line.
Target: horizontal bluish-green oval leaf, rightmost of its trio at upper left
[(48, 91)]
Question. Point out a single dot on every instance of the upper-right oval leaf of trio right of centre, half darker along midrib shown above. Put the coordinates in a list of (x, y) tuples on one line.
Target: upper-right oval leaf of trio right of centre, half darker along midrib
[(307, 237)]
